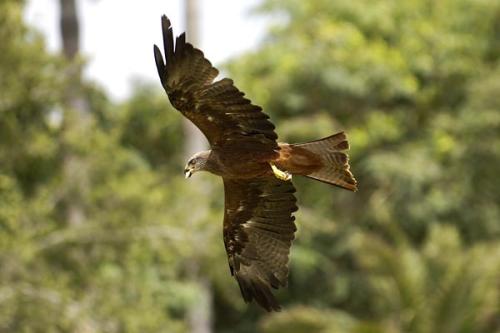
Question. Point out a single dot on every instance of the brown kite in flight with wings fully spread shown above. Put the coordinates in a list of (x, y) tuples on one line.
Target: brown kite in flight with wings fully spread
[(258, 225)]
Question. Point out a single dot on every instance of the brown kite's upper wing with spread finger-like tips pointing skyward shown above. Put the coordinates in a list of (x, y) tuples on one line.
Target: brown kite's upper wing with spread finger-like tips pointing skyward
[(218, 108)]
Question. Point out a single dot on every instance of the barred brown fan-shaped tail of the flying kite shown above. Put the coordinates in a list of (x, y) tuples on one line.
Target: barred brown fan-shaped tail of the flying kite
[(334, 168)]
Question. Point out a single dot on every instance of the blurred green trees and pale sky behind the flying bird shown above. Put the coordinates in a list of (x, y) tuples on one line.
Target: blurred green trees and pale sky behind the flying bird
[(99, 231)]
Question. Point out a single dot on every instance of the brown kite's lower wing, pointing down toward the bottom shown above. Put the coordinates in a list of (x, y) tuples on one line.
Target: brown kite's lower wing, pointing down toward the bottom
[(258, 231)]
